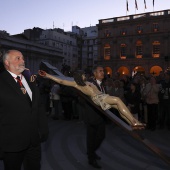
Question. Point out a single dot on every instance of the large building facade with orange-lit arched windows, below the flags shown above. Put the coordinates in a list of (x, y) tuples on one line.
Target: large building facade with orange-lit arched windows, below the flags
[(135, 43)]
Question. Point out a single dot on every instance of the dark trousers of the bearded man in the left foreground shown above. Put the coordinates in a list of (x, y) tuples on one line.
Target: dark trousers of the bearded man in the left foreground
[(30, 158)]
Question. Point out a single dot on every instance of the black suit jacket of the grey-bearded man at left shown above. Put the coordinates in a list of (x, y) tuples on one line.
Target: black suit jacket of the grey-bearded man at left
[(21, 125)]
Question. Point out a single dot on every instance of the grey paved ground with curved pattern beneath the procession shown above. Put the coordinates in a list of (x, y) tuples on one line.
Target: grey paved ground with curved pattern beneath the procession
[(66, 149)]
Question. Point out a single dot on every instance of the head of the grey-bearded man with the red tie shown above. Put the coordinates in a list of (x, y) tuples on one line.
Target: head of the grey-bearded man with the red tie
[(15, 62)]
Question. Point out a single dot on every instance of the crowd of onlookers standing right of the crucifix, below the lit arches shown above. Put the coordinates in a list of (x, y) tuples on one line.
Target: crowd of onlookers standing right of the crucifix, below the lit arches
[(146, 97)]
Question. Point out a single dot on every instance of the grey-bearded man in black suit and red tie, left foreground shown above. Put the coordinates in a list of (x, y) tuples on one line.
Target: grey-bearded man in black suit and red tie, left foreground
[(23, 124)]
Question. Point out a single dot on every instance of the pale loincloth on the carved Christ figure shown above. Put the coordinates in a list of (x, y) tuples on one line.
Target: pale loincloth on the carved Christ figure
[(99, 100)]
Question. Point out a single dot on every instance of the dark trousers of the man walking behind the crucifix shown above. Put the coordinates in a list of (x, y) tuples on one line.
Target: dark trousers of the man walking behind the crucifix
[(94, 138)]
